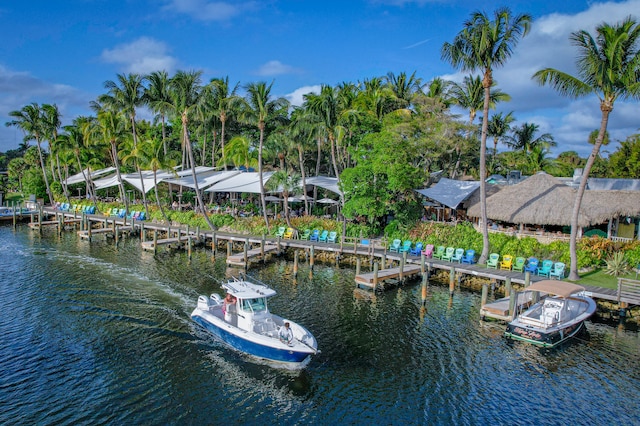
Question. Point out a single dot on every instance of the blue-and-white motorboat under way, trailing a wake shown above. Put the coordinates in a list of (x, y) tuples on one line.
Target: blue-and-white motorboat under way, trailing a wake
[(246, 324)]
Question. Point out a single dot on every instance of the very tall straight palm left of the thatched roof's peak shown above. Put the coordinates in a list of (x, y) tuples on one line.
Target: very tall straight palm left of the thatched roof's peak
[(484, 44)]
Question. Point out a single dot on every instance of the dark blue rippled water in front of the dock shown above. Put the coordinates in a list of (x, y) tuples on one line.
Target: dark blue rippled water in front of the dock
[(94, 334)]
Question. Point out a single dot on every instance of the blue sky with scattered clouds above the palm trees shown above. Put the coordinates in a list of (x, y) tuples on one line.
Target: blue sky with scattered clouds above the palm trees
[(62, 52)]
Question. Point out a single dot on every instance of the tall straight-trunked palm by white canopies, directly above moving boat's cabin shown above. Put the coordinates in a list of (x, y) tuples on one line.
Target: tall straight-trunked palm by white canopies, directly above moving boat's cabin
[(262, 108)]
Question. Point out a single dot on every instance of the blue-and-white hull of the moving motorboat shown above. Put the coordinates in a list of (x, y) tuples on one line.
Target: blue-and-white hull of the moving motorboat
[(250, 343)]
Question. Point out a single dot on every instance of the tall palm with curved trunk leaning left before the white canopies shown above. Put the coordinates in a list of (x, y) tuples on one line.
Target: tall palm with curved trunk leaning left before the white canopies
[(186, 95)]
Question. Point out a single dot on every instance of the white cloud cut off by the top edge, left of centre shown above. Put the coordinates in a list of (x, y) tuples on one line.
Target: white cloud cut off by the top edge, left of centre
[(204, 10)]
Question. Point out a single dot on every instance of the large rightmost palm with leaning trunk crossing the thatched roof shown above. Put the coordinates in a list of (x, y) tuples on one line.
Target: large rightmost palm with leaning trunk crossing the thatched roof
[(608, 66)]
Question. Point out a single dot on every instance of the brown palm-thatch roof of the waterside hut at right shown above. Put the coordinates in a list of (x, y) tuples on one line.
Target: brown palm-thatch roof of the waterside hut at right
[(544, 200)]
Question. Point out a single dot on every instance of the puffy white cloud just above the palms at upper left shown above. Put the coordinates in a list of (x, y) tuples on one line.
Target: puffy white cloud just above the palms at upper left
[(141, 56)]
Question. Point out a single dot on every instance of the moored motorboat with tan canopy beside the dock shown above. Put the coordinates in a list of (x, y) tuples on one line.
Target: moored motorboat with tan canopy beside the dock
[(554, 319)]
